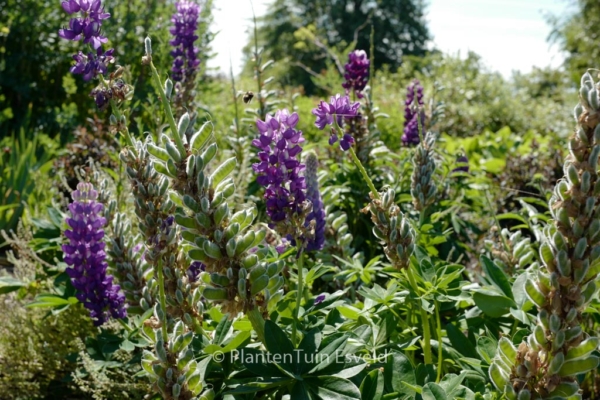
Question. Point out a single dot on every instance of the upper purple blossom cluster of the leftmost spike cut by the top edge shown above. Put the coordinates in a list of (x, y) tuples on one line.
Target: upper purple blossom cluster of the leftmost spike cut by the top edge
[(88, 25)]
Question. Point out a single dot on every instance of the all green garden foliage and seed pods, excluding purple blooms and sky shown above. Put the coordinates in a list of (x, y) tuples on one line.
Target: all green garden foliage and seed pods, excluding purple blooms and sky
[(494, 213)]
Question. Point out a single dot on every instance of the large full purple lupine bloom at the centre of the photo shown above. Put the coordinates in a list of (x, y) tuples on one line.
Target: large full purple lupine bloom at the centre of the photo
[(279, 169)]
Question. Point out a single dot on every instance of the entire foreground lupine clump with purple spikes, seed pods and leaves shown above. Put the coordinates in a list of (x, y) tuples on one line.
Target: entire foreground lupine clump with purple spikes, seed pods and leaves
[(209, 292)]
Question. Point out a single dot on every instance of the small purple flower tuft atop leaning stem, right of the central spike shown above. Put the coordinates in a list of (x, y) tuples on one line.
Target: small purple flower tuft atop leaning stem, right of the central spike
[(338, 107)]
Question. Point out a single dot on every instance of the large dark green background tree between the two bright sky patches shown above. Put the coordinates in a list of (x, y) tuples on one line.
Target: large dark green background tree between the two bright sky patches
[(304, 34)]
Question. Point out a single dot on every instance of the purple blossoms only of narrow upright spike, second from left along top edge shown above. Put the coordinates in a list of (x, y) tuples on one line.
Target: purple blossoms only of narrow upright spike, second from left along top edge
[(185, 24)]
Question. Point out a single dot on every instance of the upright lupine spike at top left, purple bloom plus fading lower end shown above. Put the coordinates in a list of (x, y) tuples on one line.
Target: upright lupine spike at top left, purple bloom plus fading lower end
[(186, 61)]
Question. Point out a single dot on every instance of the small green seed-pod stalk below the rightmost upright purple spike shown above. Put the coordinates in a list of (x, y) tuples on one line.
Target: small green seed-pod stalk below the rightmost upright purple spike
[(423, 189)]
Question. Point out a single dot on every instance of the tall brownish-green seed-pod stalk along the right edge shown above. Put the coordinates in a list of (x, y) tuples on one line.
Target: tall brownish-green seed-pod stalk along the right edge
[(547, 363)]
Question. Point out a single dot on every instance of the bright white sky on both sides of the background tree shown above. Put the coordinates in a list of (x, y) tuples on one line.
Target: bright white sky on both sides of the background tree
[(508, 34)]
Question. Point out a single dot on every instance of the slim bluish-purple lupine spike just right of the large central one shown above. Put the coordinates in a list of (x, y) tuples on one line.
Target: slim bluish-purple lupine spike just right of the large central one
[(318, 210)]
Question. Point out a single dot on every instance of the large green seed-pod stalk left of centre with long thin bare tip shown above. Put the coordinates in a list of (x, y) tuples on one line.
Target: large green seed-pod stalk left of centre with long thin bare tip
[(238, 278)]
